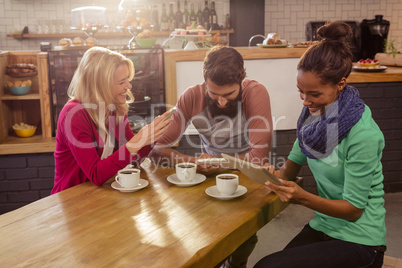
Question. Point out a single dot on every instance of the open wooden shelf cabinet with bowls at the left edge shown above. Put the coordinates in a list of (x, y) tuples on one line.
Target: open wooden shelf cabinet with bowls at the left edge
[(32, 108)]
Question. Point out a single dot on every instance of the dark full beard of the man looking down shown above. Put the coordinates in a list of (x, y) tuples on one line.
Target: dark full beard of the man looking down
[(230, 110)]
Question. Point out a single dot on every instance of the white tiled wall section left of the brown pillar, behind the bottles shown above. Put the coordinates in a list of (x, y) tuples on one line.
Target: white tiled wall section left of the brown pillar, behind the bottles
[(15, 14)]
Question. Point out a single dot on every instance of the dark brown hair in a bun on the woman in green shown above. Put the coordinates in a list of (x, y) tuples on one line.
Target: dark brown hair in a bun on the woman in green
[(331, 59)]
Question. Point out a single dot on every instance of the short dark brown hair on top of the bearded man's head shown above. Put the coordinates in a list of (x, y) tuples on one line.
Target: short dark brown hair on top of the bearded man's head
[(224, 66)]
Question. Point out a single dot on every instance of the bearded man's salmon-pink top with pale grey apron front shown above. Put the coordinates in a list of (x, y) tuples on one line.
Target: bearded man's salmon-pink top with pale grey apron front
[(249, 132)]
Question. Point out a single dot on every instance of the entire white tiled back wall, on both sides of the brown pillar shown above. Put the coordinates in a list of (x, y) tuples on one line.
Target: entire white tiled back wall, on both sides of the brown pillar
[(288, 18)]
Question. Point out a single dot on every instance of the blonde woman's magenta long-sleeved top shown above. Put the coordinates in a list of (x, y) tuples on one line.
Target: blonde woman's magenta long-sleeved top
[(79, 149)]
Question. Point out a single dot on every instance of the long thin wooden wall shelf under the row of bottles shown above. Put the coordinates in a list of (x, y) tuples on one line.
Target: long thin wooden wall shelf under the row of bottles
[(97, 35)]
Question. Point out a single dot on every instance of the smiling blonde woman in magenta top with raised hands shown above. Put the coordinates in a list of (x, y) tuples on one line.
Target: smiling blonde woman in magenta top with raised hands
[(93, 138)]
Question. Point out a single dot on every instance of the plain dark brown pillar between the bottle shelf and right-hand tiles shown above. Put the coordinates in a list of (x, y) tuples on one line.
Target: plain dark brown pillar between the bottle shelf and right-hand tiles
[(247, 17)]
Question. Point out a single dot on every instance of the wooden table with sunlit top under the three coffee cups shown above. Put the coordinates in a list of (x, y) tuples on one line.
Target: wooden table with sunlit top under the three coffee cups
[(161, 225)]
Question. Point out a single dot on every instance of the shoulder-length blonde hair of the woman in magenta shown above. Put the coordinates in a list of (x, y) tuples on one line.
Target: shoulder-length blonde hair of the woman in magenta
[(93, 80)]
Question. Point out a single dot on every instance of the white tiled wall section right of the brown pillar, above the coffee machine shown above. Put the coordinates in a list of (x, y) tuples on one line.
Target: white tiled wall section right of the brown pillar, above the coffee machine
[(288, 18)]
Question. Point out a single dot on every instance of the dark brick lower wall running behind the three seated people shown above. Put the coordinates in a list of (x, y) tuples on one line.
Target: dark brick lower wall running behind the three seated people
[(29, 177)]
